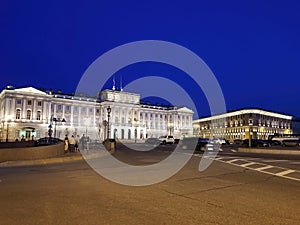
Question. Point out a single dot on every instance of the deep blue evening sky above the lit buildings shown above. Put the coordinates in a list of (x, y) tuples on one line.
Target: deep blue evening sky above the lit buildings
[(252, 47)]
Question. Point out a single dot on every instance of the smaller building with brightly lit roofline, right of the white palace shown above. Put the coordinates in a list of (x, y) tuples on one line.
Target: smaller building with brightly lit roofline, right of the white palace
[(242, 123)]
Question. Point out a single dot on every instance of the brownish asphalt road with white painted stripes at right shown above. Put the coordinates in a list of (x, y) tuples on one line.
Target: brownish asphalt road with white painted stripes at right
[(228, 192)]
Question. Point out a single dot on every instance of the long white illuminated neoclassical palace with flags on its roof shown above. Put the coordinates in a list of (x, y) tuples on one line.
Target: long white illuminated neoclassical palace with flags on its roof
[(32, 113)]
